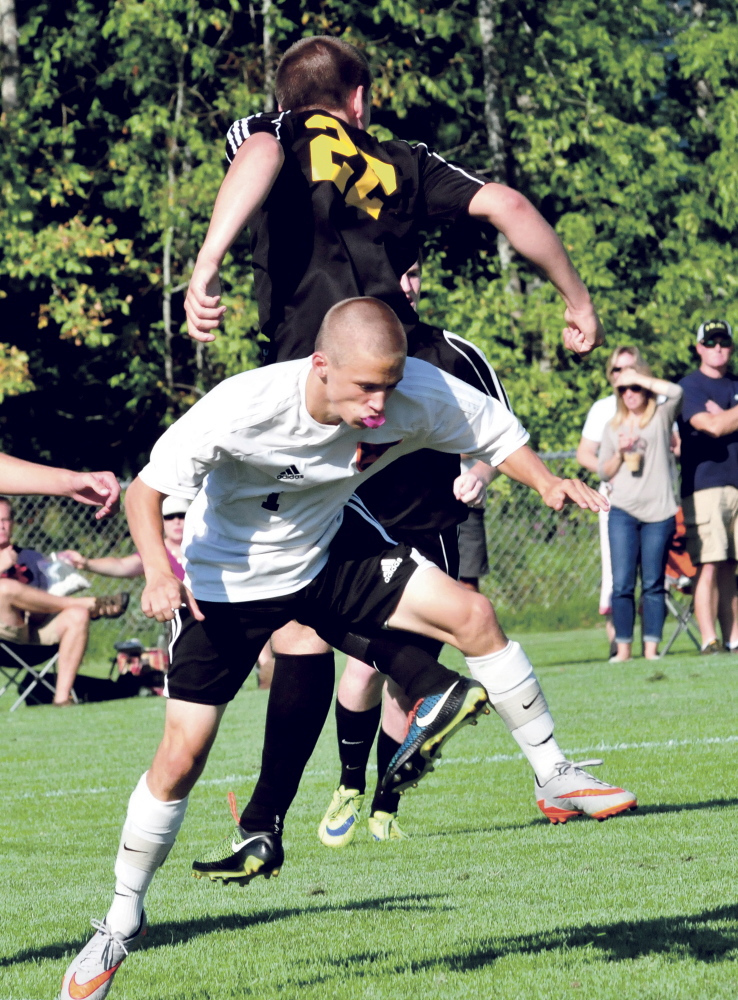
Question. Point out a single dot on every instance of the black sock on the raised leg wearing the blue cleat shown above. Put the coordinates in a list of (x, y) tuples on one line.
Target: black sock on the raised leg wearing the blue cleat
[(403, 658)]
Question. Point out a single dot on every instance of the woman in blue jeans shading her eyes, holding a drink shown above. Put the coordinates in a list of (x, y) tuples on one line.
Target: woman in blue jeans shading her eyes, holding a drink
[(635, 459)]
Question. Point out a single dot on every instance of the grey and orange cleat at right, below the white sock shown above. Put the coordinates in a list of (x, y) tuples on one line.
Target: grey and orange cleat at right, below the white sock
[(573, 792)]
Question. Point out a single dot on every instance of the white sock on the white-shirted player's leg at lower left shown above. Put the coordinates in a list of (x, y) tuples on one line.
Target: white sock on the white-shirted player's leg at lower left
[(149, 831)]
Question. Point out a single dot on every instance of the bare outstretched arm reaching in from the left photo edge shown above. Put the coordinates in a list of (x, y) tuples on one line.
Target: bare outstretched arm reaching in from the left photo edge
[(97, 489)]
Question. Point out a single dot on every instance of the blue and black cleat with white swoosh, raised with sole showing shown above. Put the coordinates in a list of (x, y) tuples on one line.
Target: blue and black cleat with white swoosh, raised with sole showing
[(432, 722)]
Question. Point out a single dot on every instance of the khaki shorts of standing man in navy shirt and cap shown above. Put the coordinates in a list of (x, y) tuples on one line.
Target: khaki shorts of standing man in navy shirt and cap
[(711, 519)]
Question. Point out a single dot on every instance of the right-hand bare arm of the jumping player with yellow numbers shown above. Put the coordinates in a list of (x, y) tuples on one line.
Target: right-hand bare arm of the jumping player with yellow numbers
[(530, 234)]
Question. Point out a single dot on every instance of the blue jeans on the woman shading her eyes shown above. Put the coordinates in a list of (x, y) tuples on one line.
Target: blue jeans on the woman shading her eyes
[(634, 543)]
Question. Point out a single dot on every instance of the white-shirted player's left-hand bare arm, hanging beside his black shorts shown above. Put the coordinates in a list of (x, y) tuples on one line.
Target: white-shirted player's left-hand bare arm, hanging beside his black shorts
[(163, 592)]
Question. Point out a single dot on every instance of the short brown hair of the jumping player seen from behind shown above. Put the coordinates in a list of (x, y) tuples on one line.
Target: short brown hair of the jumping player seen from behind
[(320, 72)]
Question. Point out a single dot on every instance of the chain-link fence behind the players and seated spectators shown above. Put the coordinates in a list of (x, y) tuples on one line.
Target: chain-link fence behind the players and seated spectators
[(538, 556)]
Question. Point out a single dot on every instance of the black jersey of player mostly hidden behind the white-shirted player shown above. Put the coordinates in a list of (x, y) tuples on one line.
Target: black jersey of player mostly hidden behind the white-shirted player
[(415, 493)]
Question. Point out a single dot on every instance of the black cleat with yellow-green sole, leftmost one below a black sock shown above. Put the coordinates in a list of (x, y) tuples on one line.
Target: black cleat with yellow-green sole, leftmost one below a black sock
[(241, 856)]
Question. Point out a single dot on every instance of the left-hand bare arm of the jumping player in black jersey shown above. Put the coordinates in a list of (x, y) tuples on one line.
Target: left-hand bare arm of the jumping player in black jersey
[(245, 187)]
